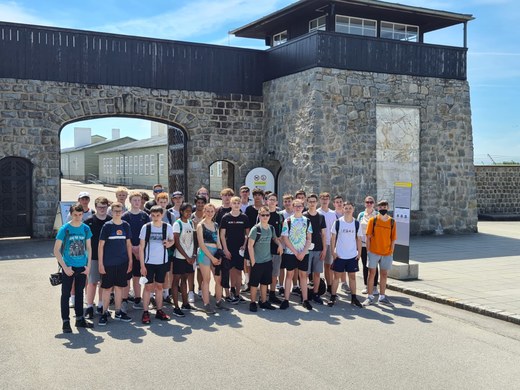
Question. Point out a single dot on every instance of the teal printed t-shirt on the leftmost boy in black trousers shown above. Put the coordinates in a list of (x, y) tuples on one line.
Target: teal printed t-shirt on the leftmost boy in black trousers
[(74, 240)]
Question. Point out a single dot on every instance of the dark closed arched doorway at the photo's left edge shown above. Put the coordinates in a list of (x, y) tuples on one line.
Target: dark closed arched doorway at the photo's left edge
[(16, 197)]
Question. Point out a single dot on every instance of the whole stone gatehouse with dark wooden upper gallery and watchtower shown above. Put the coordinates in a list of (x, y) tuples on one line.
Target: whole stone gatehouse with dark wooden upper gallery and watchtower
[(348, 99)]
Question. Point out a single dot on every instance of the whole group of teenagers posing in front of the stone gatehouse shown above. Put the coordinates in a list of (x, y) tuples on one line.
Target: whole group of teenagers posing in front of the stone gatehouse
[(161, 246)]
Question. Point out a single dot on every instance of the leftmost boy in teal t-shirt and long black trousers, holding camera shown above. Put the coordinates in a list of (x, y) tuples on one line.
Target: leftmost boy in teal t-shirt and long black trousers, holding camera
[(73, 252)]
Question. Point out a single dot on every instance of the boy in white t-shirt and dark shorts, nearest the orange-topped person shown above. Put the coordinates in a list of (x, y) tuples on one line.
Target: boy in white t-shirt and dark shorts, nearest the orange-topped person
[(345, 243)]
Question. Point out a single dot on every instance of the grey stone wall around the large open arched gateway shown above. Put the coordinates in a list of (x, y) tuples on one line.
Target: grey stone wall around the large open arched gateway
[(32, 114)]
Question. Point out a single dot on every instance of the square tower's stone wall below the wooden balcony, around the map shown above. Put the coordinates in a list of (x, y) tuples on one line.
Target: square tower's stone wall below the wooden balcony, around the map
[(321, 125)]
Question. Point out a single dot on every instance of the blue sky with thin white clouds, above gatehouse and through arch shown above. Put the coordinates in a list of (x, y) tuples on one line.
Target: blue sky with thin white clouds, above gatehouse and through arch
[(493, 41)]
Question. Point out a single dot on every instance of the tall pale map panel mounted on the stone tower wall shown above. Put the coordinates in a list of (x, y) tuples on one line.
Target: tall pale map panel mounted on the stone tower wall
[(397, 150)]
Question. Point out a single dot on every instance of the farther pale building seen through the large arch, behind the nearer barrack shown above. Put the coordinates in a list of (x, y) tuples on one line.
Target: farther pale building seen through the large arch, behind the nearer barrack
[(81, 161)]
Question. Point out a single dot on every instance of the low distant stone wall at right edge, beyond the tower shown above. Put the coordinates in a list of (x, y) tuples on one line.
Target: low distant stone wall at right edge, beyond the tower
[(498, 189)]
